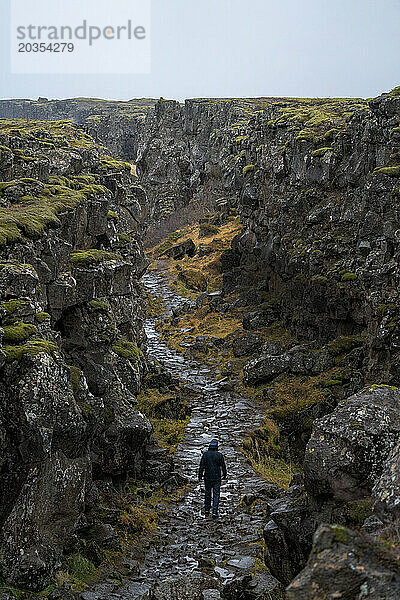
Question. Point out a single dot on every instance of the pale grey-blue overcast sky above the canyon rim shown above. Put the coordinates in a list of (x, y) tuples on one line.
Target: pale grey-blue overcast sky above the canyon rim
[(239, 48)]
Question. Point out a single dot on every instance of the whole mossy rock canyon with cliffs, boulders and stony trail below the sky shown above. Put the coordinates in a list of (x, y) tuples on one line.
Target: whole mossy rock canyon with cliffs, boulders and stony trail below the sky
[(277, 220)]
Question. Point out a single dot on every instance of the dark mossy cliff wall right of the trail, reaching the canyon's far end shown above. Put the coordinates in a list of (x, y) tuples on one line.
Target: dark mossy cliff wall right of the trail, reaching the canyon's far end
[(315, 183)]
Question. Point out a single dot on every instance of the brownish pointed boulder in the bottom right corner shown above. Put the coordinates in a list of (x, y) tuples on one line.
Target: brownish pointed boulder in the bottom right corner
[(343, 564)]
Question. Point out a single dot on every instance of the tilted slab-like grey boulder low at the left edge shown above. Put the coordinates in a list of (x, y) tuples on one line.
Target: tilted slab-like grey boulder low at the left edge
[(45, 514)]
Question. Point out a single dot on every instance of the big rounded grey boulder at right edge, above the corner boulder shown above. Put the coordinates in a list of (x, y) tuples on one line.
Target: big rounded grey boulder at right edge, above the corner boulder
[(347, 451)]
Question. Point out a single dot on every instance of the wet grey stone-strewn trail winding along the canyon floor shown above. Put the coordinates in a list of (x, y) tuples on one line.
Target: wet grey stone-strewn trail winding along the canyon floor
[(189, 542)]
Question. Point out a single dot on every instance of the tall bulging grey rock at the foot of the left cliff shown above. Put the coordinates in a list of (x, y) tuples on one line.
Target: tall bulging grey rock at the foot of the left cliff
[(45, 468)]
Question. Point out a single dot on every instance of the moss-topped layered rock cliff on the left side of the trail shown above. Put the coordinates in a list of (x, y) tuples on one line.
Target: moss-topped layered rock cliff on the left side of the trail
[(72, 339)]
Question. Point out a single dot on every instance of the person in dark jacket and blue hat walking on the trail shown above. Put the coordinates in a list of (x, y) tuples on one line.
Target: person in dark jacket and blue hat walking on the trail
[(212, 464)]
